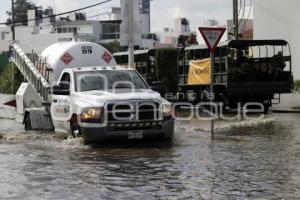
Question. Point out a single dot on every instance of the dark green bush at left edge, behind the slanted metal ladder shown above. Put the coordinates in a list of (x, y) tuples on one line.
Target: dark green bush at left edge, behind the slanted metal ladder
[(6, 81)]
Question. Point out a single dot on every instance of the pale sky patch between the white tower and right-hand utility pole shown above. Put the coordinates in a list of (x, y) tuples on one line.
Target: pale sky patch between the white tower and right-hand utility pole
[(197, 11)]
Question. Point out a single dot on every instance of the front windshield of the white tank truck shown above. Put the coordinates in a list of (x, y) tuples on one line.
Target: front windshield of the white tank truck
[(108, 80)]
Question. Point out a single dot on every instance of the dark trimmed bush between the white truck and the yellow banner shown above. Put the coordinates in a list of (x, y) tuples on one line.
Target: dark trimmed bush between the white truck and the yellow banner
[(166, 67)]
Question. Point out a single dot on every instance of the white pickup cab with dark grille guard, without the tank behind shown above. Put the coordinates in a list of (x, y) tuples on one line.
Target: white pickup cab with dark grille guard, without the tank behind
[(101, 103)]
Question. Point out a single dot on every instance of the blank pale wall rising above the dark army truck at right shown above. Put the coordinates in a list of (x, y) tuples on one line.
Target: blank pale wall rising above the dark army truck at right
[(277, 19)]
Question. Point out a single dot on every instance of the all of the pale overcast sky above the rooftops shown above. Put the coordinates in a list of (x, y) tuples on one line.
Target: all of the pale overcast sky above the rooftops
[(163, 12)]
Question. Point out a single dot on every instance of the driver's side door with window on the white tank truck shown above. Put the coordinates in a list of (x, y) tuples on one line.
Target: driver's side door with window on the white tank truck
[(61, 105)]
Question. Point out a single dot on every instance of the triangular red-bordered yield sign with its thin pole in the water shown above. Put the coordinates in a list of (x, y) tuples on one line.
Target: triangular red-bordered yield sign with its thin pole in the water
[(212, 37)]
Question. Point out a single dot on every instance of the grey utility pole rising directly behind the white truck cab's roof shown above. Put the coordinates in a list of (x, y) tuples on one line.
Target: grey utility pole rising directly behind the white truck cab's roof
[(130, 34)]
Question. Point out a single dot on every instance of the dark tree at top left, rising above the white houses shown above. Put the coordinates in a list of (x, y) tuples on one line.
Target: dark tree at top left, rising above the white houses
[(21, 8)]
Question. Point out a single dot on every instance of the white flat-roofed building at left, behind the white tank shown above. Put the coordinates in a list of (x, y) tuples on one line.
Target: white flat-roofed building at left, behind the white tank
[(40, 34)]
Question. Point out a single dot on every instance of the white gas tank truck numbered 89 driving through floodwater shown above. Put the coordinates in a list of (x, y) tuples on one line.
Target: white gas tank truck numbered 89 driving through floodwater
[(93, 97)]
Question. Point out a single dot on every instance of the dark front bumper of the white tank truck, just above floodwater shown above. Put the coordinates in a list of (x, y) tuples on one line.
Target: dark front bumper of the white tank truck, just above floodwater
[(163, 130)]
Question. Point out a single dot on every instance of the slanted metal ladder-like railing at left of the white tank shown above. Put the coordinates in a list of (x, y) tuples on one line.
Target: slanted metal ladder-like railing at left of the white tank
[(34, 69)]
